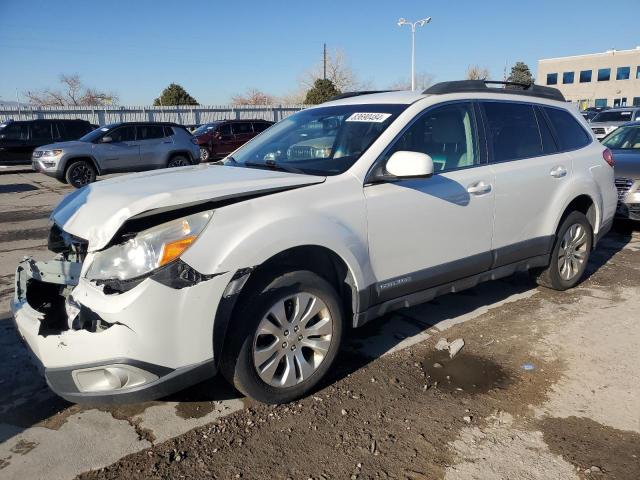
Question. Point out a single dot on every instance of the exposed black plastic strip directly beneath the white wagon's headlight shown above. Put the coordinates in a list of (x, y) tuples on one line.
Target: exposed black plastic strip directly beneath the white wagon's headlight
[(176, 275)]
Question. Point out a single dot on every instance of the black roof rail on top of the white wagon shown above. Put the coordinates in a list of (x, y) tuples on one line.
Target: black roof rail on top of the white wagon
[(512, 88)]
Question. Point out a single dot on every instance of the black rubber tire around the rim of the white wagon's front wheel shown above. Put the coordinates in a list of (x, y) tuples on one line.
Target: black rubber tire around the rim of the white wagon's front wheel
[(237, 362)]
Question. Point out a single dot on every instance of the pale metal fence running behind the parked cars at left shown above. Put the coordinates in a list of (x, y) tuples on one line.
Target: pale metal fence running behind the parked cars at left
[(183, 115)]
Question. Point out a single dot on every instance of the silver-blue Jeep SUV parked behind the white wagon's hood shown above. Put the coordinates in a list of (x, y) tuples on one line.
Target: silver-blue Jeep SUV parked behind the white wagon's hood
[(118, 147)]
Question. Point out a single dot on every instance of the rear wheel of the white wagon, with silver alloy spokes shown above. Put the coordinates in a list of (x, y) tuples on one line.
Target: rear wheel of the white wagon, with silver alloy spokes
[(570, 254)]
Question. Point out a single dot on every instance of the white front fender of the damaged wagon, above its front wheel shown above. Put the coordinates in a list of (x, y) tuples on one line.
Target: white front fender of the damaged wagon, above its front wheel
[(248, 233)]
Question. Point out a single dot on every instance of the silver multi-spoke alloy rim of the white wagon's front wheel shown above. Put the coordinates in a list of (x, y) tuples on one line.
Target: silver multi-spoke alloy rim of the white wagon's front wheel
[(292, 340)]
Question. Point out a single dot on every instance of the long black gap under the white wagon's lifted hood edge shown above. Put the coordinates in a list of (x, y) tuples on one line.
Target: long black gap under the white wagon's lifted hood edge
[(152, 218)]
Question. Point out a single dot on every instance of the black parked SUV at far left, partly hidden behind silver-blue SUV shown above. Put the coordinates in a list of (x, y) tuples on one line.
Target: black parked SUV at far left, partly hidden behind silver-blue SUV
[(18, 139)]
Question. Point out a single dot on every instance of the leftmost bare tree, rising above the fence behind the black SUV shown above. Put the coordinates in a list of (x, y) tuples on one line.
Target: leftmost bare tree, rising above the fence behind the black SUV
[(73, 93)]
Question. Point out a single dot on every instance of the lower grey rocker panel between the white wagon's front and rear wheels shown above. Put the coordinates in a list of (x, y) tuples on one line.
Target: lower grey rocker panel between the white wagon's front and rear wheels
[(429, 294)]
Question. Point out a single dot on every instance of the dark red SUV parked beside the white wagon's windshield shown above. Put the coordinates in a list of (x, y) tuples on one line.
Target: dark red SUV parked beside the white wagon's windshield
[(219, 139)]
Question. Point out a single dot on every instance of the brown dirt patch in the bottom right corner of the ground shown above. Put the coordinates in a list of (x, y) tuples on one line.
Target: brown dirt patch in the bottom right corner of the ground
[(614, 453)]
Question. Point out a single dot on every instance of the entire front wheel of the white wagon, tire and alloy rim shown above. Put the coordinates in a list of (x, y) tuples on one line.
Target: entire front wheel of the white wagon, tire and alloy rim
[(285, 337)]
